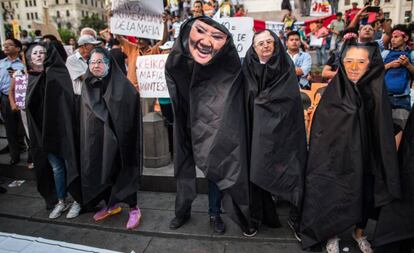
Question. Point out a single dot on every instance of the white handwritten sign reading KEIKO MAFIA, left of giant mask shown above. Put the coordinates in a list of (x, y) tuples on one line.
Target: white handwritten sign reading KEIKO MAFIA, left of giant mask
[(151, 76)]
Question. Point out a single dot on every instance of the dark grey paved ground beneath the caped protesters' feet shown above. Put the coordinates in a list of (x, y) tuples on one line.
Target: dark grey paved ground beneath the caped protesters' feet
[(22, 211)]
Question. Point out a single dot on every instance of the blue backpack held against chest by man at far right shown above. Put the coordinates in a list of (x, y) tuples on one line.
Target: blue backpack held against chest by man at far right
[(396, 79)]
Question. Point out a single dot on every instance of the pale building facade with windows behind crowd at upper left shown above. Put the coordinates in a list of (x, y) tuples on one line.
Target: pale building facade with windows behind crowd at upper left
[(62, 13)]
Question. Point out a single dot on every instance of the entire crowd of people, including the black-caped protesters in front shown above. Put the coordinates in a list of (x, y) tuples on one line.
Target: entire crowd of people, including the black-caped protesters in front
[(240, 121)]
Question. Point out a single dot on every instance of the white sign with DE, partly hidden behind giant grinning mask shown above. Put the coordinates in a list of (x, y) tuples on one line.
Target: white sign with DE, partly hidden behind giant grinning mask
[(241, 29)]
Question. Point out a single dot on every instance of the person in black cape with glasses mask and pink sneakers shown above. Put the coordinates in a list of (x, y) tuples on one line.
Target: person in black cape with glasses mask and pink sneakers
[(111, 138)]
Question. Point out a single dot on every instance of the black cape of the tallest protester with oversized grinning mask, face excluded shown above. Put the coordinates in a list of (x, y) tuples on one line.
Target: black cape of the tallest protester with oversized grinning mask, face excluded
[(210, 128)]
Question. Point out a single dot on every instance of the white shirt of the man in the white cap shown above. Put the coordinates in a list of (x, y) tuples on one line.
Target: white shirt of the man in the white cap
[(77, 67)]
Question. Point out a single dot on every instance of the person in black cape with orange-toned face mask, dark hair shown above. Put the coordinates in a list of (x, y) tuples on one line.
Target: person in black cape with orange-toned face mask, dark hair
[(352, 162)]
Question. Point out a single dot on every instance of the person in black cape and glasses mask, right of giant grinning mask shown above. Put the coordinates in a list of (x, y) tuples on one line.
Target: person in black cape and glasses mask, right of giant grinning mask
[(277, 129)]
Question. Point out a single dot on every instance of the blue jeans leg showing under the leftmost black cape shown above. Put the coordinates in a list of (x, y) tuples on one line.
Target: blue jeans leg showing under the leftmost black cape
[(59, 171)]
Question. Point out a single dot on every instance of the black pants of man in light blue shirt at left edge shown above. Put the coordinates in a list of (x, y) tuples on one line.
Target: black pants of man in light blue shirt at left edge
[(12, 123)]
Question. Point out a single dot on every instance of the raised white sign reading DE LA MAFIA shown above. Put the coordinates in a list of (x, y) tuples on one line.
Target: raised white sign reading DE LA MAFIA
[(138, 18)]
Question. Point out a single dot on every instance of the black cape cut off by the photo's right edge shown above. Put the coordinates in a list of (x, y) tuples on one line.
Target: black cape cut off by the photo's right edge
[(396, 220)]
